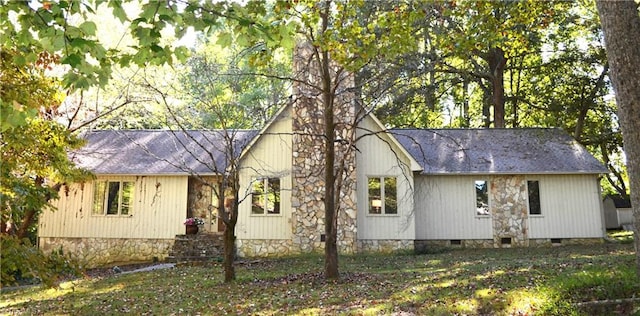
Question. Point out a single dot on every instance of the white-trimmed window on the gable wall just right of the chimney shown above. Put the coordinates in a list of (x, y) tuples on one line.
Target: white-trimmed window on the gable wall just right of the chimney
[(383, 196)]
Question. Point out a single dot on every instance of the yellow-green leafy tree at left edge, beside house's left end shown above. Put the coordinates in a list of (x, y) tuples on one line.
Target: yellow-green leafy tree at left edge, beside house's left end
[(32, 147)]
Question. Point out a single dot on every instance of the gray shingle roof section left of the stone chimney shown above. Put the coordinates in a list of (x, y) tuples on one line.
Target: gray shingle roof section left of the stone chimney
[(140, 152)]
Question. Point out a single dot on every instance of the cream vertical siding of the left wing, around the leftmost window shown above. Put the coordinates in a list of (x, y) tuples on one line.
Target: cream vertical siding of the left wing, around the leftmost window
[(159, 211)]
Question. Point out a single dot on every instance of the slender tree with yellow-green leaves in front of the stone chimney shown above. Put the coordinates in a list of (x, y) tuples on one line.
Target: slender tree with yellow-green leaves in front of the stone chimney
[(329, 62)]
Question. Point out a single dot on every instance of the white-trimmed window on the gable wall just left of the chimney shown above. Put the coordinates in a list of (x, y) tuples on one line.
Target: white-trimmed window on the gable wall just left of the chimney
[(265, 196)]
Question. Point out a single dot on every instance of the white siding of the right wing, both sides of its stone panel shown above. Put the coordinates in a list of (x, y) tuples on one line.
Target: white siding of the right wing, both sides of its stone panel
[(571, 208)]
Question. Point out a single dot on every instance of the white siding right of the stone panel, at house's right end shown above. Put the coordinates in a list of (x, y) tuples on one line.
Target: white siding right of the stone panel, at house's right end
[(571, 208)]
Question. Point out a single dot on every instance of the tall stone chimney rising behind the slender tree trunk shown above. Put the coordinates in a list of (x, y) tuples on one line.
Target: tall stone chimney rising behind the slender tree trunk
[(307, 196)]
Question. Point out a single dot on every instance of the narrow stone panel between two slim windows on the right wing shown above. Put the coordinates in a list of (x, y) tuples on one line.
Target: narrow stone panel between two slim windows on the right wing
[(509, 211)]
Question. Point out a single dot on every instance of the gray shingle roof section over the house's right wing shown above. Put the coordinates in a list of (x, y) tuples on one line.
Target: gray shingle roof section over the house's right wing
[(497, 151)]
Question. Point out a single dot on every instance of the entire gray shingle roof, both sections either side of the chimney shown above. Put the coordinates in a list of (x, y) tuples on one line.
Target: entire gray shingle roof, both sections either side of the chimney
[(438, 151)]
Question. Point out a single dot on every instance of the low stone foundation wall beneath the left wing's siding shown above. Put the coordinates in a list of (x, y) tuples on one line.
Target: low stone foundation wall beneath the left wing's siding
[(95, 252)]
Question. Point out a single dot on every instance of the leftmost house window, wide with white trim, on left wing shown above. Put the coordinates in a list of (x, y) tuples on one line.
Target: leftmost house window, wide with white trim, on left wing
[(113, 197)]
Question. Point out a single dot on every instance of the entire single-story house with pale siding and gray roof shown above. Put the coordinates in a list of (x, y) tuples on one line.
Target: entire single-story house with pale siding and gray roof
[(404, 189)]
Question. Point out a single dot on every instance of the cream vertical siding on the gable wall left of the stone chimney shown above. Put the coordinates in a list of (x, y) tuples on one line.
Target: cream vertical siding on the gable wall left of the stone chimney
[(270, 156)]
